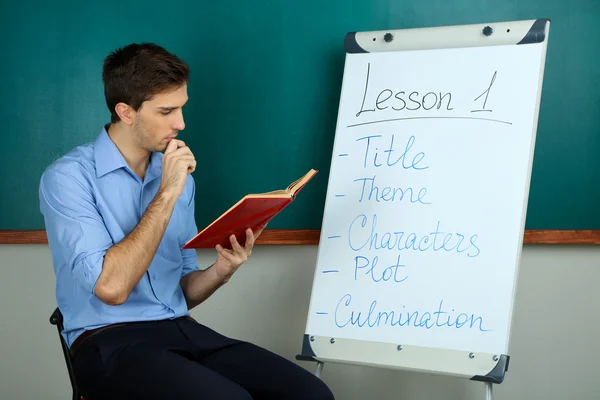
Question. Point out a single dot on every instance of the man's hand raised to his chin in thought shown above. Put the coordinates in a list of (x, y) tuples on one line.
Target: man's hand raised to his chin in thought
[(178, 162)]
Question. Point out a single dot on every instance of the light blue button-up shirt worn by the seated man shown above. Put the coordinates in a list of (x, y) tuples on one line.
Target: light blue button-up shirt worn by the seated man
[(91, 200)]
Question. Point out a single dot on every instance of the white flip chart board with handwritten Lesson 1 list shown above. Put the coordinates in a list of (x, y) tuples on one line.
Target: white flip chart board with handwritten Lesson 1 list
[(426, 201)]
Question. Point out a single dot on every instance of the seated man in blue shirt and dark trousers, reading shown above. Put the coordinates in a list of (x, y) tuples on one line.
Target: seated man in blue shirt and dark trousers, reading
[(117, 212)]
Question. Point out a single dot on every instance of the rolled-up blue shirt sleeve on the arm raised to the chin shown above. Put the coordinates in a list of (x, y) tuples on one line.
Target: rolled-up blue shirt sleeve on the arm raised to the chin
[(76, 232)]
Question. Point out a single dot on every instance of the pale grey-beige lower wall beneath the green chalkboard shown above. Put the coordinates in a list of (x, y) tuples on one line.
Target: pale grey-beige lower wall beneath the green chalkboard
[(555, 341)]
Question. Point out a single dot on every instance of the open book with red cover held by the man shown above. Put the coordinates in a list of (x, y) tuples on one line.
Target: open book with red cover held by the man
[(252, 211)]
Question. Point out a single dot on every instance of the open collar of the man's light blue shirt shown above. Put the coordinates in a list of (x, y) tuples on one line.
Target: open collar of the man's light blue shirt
[(108, 157)]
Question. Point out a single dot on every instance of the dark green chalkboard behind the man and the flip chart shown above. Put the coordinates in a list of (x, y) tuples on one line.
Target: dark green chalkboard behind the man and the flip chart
[(266, 78)]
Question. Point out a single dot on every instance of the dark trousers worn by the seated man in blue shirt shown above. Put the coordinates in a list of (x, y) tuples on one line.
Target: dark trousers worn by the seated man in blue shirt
[(182, 359)]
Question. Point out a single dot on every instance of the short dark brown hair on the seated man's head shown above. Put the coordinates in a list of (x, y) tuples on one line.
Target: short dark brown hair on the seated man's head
[(135, 73)]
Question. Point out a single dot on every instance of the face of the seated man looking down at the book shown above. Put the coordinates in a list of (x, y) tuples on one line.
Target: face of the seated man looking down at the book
[(160, 119)]
